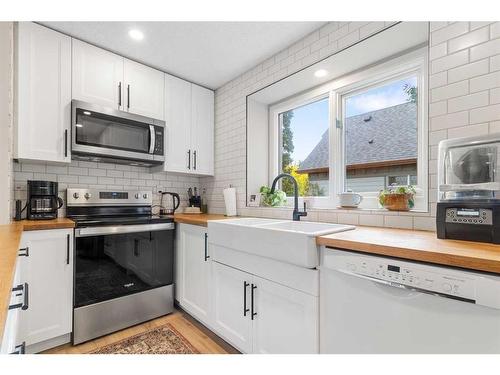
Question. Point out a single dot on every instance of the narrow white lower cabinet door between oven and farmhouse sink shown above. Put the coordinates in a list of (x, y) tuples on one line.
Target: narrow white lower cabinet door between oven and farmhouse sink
[(193, 271)]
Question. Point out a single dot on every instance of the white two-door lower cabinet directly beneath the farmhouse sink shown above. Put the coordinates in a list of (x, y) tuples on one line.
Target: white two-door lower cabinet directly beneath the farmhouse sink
[(260, 316)]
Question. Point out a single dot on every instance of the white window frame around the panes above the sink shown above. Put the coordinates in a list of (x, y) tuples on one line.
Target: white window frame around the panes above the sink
[(409, 64)]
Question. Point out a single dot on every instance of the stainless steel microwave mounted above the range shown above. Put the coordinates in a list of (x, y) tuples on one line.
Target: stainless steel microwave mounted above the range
[(109, 135)]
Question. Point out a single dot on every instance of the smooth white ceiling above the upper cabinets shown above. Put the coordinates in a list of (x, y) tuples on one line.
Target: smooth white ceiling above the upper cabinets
[(207, 53)]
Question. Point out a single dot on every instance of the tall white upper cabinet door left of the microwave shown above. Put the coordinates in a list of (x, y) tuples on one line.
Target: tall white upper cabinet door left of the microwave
[(43, 105)]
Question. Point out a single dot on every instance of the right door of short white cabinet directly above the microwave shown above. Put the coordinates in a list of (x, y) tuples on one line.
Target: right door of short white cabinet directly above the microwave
[(144, 90)]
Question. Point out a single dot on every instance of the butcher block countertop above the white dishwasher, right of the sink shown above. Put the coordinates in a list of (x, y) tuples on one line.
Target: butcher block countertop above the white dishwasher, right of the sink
[(417, 245)]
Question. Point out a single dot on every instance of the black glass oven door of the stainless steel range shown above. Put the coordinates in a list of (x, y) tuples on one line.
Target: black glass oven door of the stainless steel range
[(112, 262)]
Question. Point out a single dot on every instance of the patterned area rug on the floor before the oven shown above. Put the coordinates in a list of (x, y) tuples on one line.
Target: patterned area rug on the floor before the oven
[(162, 340)]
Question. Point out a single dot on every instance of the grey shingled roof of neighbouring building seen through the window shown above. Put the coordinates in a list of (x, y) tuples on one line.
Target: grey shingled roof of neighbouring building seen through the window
[(384, 137)]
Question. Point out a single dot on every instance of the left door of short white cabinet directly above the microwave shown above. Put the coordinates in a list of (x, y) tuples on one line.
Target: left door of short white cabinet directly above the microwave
[(97, 76)]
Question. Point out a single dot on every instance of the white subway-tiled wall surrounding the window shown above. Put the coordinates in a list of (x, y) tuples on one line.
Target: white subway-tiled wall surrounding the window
[(464, 99)]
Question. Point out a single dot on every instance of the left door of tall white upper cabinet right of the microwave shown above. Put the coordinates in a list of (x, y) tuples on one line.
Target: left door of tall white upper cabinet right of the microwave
[(178, 124)]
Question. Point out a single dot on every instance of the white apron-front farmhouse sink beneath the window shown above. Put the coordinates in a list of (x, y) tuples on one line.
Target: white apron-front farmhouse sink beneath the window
[(284, 240)]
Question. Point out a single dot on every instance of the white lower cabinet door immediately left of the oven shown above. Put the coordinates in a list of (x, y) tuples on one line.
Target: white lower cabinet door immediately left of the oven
[(48, 272)]
